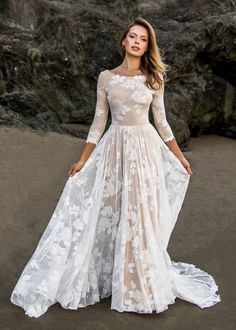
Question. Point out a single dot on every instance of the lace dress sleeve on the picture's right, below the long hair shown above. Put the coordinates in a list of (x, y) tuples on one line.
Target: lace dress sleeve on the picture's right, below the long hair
[(159, 115)]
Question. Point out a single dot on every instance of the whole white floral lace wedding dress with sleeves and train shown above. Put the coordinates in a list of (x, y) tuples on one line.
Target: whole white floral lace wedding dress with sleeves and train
[(109, 233)]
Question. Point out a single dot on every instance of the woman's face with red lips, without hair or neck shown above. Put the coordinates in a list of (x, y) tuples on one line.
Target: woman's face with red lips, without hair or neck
[(136, 41)]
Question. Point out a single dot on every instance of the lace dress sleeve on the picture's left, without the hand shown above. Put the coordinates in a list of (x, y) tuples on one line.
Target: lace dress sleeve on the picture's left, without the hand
[(101, 112)]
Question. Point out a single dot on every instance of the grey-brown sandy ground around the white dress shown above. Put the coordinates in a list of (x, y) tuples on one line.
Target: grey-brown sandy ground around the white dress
[(33, 172)]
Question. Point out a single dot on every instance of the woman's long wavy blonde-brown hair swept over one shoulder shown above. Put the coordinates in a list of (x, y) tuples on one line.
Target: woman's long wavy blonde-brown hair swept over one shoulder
[(152, 64)]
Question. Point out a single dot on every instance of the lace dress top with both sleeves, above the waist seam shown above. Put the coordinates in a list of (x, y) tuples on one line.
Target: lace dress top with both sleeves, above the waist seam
[(129, 100)]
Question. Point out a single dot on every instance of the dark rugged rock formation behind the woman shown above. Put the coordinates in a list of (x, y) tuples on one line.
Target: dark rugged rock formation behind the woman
[(51, 53)]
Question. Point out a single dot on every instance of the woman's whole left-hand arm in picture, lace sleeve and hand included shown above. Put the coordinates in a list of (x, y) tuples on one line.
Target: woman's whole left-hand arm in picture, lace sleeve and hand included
[(97, 128)]
